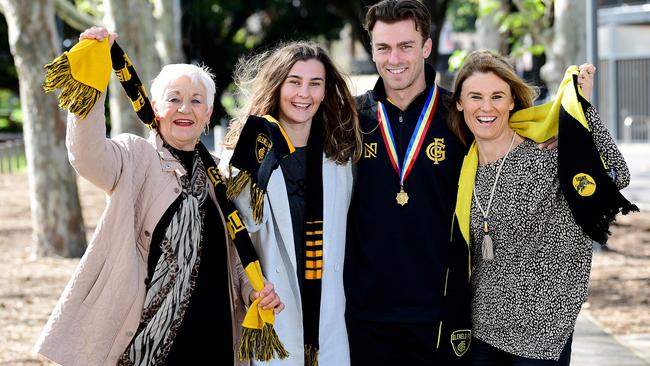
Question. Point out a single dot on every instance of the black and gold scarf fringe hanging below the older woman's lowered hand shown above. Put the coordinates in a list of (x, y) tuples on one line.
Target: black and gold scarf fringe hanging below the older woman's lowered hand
[(261, 344)]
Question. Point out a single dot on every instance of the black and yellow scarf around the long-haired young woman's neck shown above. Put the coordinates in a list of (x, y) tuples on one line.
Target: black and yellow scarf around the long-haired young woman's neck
[(261, 146)]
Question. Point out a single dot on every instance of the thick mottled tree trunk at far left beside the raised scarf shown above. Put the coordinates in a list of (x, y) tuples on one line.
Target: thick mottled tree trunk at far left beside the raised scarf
[(56, 214)]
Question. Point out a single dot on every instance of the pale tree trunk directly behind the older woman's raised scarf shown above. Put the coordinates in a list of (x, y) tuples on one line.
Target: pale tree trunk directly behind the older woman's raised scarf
[(136, 39)]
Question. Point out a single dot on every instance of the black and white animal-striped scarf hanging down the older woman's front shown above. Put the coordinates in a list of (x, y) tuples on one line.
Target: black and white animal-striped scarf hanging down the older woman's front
[(172, 283)]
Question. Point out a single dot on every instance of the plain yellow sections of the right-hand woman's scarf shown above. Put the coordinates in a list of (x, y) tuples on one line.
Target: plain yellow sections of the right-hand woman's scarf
[(538, 123)]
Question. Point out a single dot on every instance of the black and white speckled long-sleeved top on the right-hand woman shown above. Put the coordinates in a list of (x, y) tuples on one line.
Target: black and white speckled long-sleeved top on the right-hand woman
[(527, 299)]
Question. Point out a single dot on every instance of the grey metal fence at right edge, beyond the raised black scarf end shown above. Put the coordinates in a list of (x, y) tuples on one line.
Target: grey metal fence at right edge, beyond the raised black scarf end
[(625, 97)]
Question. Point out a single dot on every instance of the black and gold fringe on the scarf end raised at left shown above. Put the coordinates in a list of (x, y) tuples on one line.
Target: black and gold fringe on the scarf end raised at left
[(75, 96)]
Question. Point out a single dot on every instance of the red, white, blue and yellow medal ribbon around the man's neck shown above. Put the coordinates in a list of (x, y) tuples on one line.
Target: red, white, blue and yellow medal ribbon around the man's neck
[(417, 138)]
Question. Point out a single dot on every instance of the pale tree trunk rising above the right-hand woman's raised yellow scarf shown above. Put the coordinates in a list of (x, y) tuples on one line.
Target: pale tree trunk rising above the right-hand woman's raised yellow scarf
[(568, 43)]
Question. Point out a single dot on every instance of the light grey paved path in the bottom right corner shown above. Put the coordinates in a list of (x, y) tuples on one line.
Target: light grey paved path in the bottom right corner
[(593, 347)]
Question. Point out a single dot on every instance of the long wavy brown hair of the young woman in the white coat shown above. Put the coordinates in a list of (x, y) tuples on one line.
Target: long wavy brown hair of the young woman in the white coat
[(260, 77)]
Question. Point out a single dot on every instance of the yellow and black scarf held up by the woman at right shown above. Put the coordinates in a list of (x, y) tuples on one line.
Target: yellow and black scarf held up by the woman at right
[(593, 198)]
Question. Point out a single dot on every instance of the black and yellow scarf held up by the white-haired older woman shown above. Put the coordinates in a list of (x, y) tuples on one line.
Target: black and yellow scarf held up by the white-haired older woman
[(82, 74)]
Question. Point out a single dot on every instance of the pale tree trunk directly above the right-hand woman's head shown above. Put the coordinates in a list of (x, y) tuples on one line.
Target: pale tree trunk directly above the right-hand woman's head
[(487, 27)]
